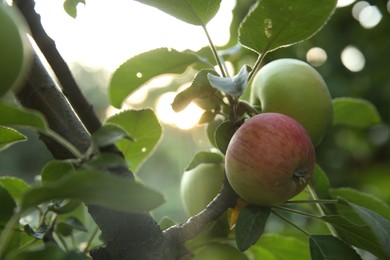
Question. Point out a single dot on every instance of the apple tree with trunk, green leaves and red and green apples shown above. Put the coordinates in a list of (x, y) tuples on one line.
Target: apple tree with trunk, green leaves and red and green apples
[(262, 191)]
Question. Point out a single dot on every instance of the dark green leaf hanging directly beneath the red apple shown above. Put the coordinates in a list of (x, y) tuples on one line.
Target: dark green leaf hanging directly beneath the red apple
[(250, 225)]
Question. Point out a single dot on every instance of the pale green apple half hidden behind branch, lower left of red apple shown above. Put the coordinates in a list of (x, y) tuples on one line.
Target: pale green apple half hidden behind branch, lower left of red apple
[(200, 185)]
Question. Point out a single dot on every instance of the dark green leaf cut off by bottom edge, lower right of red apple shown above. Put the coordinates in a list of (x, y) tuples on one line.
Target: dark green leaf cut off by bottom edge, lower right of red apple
[(327, 247)]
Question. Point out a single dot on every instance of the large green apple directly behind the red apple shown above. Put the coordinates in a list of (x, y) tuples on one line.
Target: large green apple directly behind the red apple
[(294, 88)]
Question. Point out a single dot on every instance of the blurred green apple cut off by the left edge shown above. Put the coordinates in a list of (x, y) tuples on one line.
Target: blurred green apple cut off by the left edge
[(15, 50)]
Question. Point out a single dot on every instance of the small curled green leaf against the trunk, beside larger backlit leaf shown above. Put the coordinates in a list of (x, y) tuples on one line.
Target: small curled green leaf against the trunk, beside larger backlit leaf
[(108, 134)]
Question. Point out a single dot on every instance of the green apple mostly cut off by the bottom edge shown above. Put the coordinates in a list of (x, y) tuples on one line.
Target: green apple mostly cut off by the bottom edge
[(217, 251)]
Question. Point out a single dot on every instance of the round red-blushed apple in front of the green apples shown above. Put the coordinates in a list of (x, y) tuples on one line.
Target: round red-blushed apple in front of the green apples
[(270, 159)]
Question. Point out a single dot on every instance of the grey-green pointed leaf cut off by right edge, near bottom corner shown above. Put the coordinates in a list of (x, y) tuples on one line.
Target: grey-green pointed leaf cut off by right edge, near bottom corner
[(379, 226)]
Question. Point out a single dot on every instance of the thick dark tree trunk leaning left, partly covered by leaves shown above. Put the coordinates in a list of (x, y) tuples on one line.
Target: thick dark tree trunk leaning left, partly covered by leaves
[(127, 236)]
